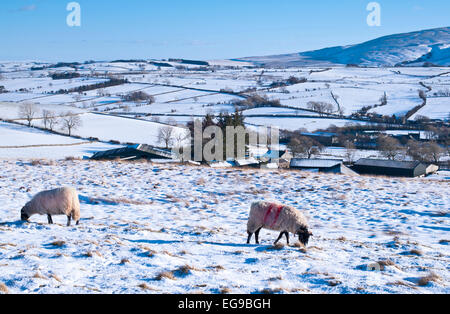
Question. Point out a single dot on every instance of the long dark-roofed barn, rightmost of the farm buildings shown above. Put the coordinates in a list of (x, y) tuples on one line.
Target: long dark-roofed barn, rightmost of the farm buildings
[(390, 168)]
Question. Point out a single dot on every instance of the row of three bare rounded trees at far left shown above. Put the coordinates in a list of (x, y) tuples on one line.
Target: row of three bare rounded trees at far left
[(68, 122)]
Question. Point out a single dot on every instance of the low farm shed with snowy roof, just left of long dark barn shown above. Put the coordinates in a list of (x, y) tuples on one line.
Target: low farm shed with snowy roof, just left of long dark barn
[(321, 165)]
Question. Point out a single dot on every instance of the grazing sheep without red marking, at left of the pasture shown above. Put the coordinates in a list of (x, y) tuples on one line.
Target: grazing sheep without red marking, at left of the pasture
[(63, 201)]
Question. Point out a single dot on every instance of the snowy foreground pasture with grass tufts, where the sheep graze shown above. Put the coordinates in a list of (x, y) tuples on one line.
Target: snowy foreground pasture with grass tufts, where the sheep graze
[(175, 229)]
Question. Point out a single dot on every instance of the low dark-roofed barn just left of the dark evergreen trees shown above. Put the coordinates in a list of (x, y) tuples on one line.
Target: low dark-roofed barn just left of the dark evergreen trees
[(133, 153)]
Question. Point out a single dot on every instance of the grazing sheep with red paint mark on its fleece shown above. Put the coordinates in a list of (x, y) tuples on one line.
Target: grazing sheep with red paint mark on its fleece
[(277, 217)]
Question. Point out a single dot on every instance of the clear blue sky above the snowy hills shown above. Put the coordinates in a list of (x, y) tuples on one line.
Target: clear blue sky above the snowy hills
[(200, 29)]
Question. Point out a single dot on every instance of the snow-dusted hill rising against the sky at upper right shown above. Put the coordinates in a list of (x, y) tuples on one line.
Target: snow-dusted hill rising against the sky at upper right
[(410, 48)]
